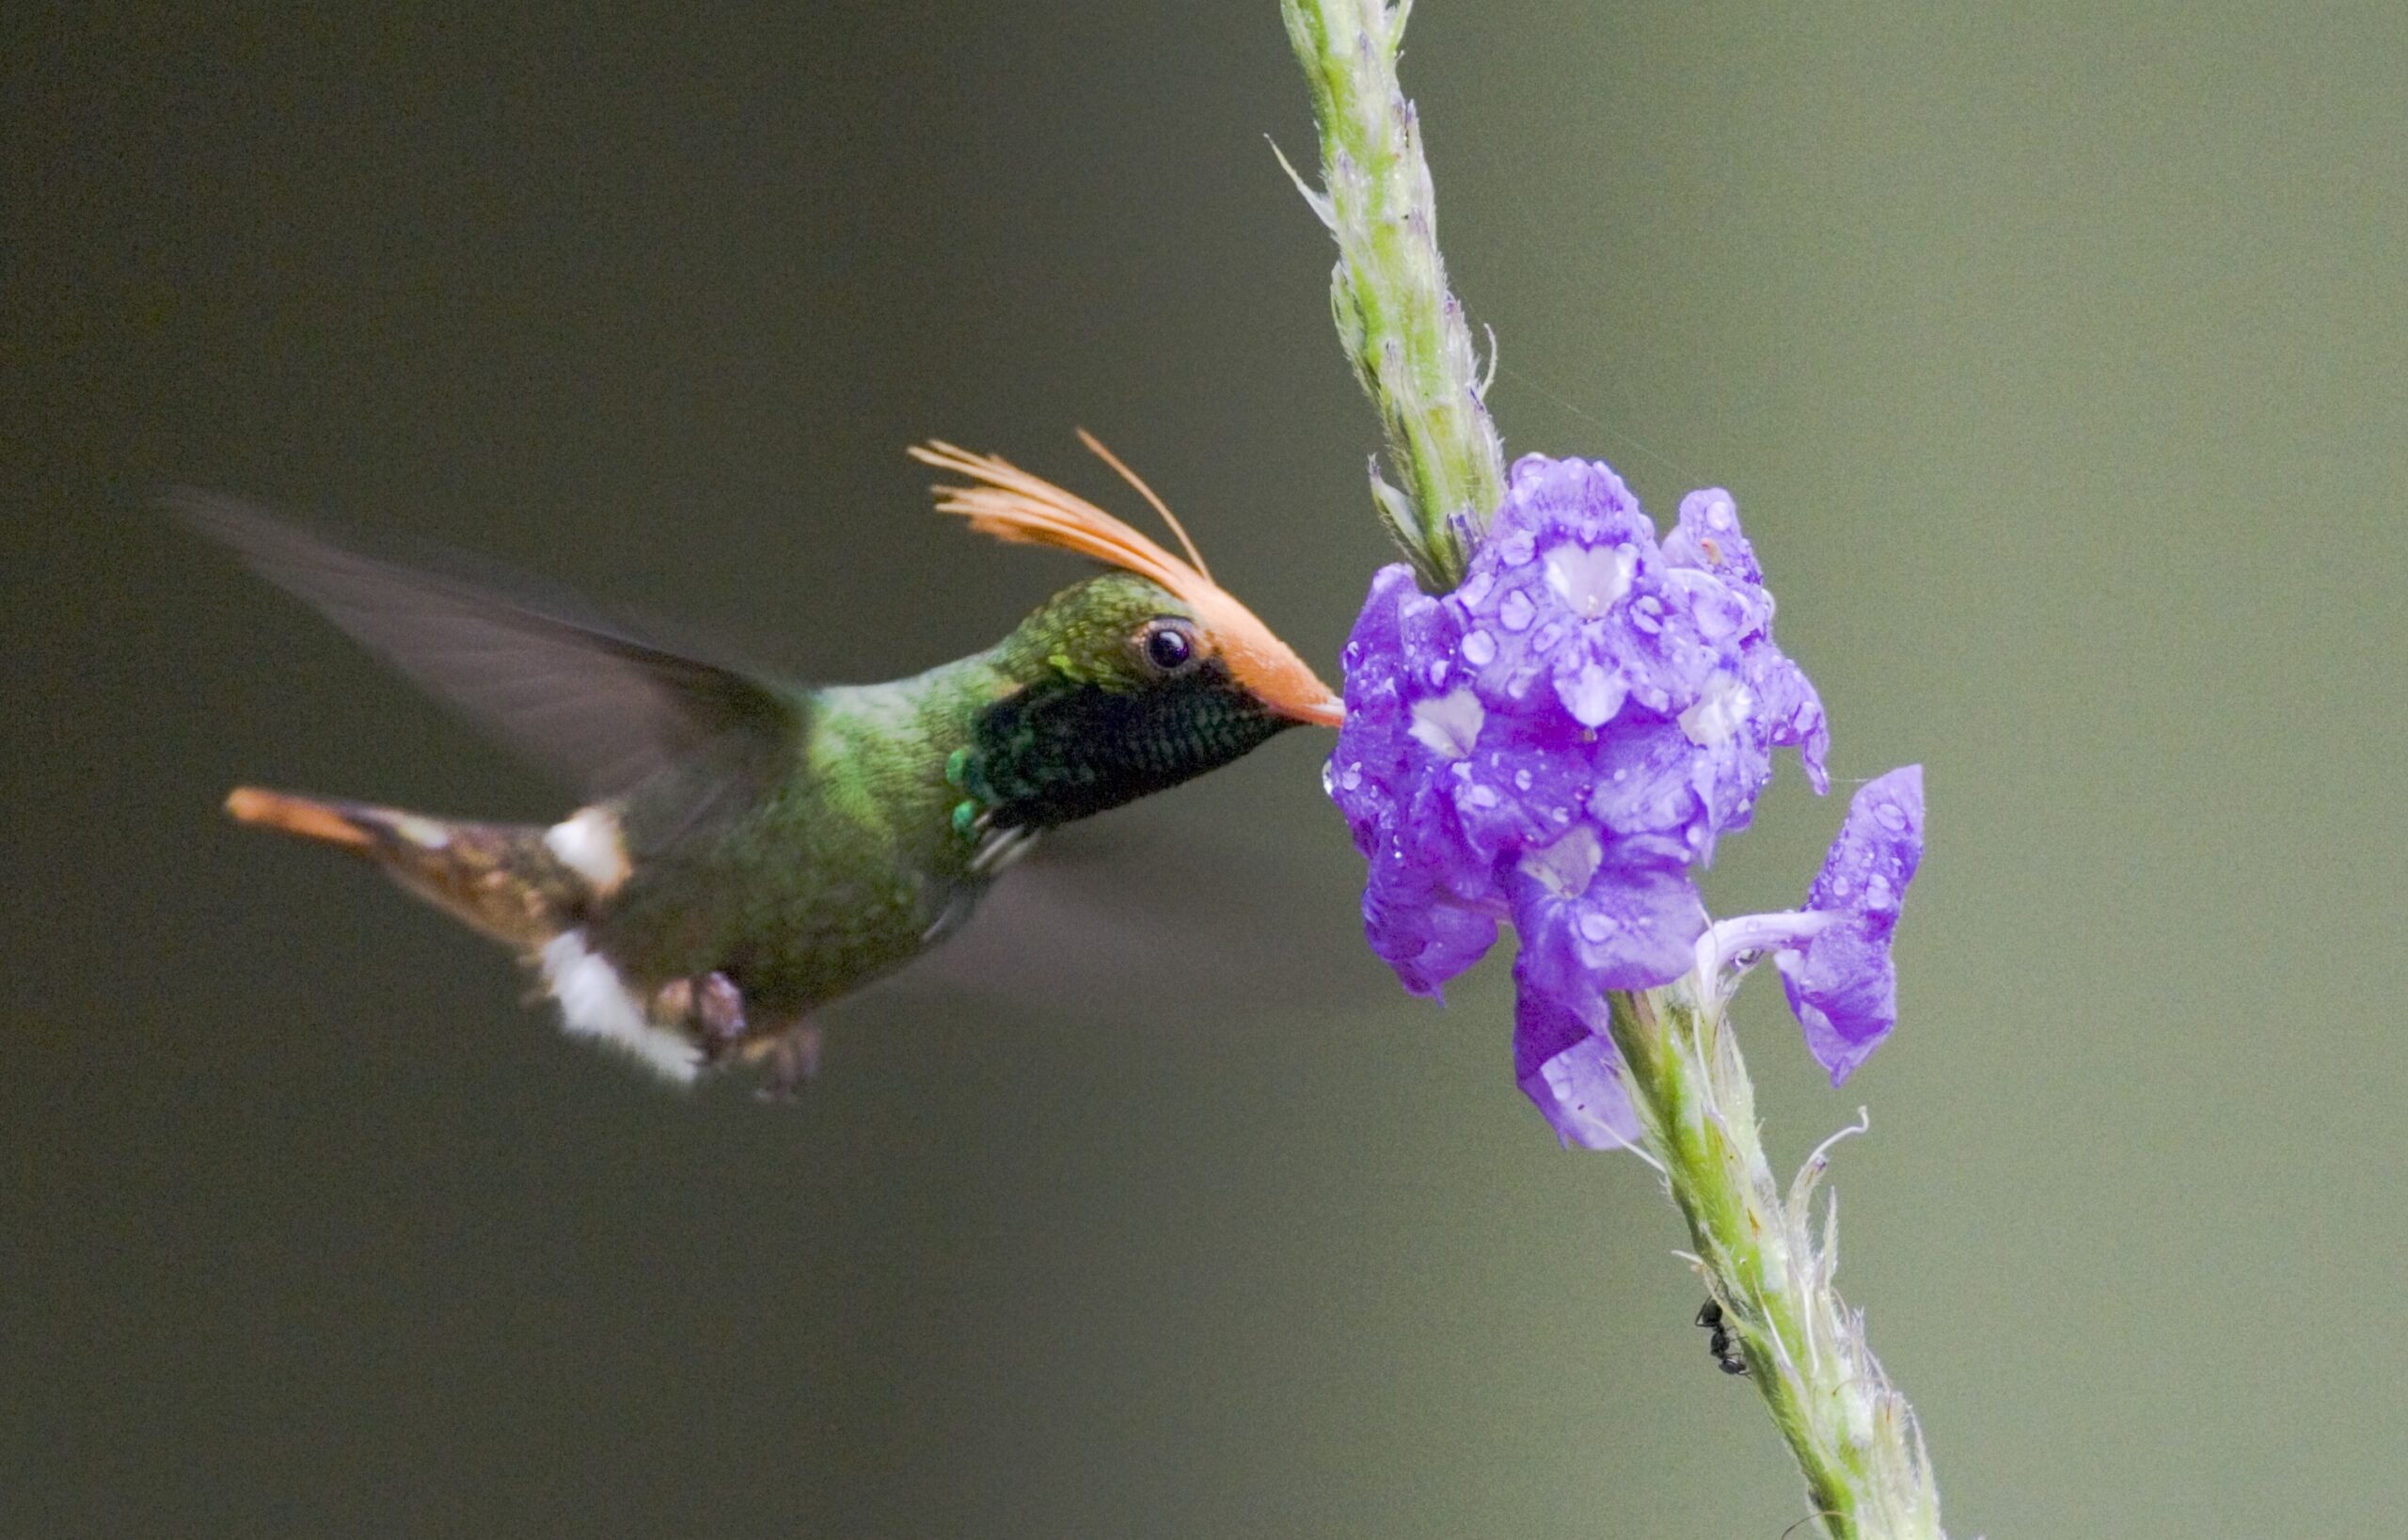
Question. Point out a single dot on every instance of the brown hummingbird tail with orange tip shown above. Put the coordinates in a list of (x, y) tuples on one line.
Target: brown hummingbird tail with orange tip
[(500, 878)]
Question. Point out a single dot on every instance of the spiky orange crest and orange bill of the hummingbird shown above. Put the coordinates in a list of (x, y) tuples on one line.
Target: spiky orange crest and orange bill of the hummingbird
[(1027, 510)]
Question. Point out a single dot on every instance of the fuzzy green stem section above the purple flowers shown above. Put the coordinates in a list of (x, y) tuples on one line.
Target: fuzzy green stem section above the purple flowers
[(1403, 329)]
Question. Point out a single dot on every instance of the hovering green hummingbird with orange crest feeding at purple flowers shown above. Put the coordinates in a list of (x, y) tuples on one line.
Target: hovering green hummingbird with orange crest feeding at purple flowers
[(752, 850)]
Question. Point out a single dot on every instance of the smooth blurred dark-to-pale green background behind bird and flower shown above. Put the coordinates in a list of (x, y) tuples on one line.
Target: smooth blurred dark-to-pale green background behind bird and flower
[(2055, 358)]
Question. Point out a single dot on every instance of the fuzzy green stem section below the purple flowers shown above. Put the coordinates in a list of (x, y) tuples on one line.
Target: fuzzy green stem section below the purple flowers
[(1853, 1435)]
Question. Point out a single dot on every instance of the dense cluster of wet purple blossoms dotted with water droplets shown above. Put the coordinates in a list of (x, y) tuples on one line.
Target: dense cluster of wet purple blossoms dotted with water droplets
[(1559, 743)]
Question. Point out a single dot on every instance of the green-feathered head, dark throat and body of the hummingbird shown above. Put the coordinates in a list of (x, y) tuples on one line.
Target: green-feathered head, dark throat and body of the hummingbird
[(878, 837)]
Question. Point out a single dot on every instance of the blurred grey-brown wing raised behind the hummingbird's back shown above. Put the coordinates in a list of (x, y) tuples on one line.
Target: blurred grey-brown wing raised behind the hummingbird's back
[(582, 698)]
